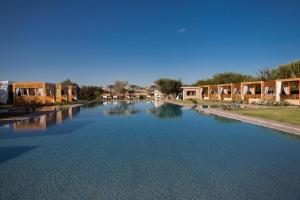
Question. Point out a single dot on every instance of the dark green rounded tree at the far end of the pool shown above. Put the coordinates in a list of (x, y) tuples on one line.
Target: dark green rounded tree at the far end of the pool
[(169, 86)]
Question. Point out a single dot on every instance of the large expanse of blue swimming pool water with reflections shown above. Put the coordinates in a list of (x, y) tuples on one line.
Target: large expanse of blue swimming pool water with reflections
[(145, 151)]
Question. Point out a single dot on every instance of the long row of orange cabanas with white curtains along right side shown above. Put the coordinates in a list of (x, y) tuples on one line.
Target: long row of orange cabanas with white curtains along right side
[(255, 91)]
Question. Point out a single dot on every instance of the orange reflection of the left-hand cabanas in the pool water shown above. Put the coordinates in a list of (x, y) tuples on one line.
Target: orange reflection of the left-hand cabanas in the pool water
[(43, 121)]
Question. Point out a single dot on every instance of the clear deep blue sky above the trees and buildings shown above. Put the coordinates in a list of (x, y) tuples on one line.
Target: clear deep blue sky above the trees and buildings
[(98, 42)]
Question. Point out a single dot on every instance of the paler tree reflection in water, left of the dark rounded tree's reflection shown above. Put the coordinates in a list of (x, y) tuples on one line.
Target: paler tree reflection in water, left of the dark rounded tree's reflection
[(122, 108)]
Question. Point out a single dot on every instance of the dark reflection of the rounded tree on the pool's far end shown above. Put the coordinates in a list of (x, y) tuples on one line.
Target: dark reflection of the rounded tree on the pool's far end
[(166, 111)]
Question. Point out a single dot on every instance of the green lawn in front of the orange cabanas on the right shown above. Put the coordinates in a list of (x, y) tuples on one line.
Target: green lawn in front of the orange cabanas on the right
[(287, 114)]
